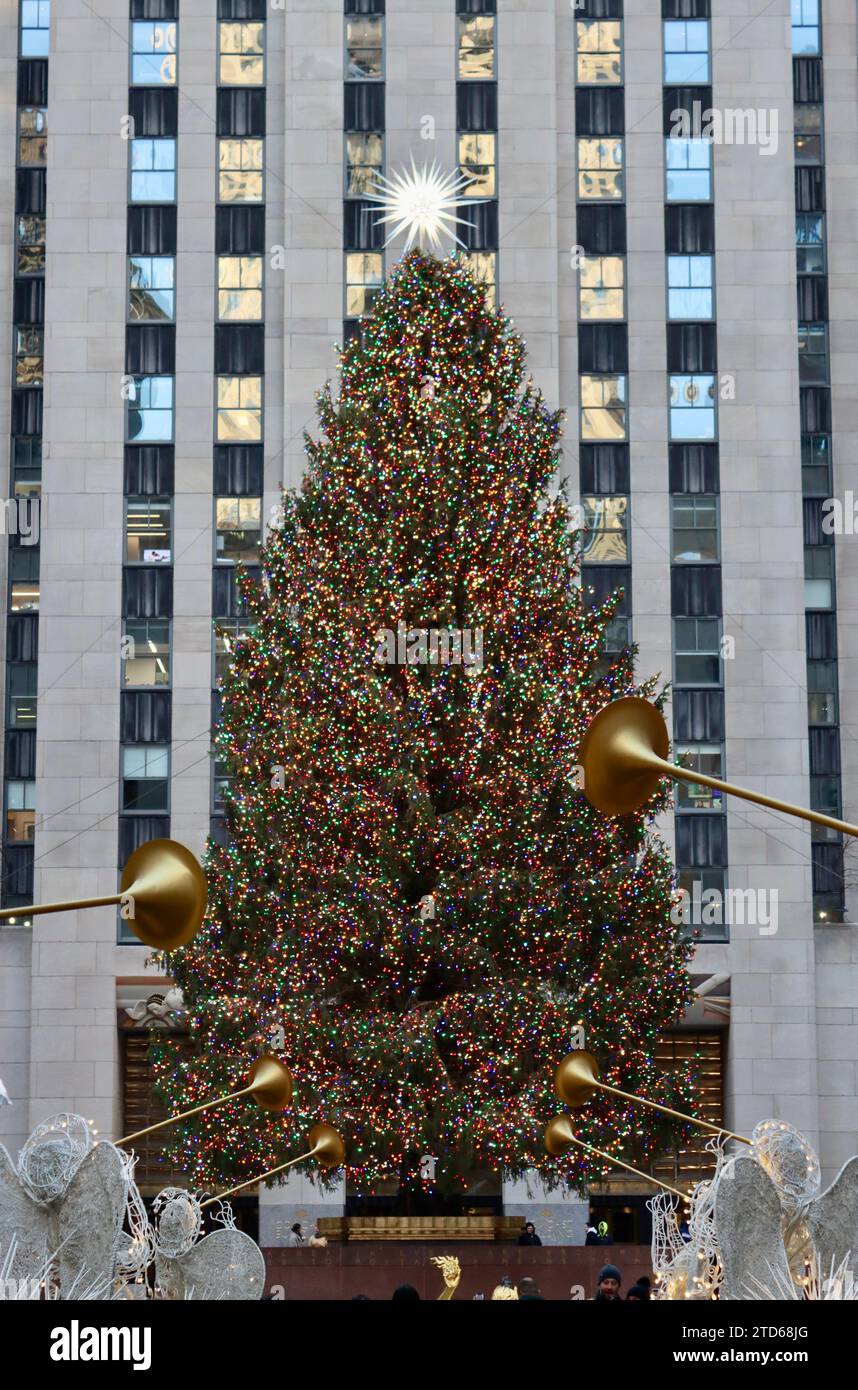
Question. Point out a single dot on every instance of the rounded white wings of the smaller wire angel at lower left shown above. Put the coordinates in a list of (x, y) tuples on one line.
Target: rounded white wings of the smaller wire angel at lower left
[(227, 1264)]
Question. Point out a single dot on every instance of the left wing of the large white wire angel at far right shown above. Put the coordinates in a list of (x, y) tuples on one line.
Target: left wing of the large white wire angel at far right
[(750, 1232)]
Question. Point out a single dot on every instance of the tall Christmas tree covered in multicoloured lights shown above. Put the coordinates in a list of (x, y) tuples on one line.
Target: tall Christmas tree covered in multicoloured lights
[(418, 907)]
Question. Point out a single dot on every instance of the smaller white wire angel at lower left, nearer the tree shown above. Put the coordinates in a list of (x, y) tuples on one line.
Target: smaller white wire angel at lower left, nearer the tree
[(225, 1266)]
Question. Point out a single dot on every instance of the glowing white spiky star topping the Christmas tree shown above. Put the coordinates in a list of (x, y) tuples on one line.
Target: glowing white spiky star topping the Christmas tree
[(425, 202)]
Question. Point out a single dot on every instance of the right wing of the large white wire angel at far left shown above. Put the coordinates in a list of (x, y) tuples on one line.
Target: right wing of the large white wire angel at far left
[(90, 1220)]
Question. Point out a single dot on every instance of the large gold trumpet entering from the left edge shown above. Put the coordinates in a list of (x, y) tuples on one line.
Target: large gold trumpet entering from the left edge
[(162, 885)]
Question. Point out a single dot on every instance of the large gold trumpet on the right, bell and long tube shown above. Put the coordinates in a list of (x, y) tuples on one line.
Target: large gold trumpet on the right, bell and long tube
[(624, 757)]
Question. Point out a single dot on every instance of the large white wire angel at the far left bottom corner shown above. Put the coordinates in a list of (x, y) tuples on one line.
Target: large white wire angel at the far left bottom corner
[(65, 1210)]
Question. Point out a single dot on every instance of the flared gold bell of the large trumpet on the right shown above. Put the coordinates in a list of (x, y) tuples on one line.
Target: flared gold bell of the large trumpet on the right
[(617, 755)]
